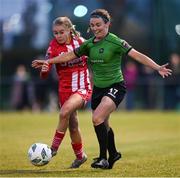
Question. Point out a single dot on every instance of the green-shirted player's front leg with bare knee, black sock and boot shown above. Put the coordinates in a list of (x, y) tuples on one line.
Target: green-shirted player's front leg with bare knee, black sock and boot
[(104, 109)]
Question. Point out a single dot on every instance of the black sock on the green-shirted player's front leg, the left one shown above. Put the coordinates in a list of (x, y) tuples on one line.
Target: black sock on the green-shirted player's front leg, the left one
[(102, 136)]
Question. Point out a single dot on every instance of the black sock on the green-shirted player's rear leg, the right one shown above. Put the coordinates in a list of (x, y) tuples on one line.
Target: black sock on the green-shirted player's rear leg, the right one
[(111, 143)]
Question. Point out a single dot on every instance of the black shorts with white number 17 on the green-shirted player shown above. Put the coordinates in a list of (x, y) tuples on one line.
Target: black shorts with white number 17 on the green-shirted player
[(116, 92)]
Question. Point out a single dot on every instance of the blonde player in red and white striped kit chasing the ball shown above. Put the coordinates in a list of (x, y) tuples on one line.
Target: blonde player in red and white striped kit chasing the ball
[(74, 85)]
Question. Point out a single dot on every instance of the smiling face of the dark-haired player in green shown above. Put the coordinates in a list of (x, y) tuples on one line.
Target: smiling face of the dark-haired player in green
[(99, 27)]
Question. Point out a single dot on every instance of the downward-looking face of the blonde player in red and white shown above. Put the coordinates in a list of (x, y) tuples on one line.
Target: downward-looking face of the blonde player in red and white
[(61, 33)]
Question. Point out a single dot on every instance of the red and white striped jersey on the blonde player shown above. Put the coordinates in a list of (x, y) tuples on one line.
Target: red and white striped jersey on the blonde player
[(73, 75)]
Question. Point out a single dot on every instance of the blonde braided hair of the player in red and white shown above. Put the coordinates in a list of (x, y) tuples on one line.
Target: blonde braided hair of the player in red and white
[(67, 23)]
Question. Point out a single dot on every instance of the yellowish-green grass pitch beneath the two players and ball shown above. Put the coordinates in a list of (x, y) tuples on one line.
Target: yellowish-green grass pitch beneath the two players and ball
[(149, 142)]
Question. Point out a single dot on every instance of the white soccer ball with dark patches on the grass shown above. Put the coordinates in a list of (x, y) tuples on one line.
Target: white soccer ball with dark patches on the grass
[(39, 154)]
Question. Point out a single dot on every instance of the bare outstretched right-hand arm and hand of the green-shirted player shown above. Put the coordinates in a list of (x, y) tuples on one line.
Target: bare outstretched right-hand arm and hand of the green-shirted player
[(162, 69)]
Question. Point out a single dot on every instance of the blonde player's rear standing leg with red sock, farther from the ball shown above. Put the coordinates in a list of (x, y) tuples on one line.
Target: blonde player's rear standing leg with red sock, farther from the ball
[(76, 141)]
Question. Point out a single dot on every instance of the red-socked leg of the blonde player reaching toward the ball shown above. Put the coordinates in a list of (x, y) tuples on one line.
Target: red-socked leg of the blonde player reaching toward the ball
[(68, 107)]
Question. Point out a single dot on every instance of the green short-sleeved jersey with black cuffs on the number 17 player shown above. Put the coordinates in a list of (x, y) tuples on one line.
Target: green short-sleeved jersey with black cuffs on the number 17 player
[(105, 59)]
